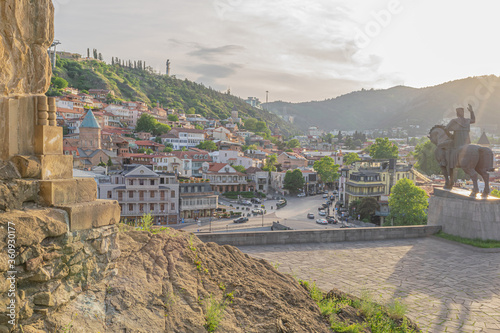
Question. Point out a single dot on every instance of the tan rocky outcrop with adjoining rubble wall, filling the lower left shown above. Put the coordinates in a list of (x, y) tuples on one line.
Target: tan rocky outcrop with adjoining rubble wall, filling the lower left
[(106, 280)]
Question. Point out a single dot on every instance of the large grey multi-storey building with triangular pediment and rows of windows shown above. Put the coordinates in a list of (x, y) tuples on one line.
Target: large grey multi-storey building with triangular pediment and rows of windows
[(139, 190)]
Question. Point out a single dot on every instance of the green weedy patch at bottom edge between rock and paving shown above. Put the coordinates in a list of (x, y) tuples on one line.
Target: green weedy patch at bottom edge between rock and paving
[(352, 315)]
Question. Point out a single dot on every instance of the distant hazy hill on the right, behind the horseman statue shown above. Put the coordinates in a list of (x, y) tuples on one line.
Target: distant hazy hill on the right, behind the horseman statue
[(398, 106)]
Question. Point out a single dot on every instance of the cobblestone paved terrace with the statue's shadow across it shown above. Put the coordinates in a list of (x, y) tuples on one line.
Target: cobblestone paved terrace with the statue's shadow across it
[(446, 287)]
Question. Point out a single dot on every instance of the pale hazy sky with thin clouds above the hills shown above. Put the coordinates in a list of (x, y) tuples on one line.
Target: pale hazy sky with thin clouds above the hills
[(297, 50)]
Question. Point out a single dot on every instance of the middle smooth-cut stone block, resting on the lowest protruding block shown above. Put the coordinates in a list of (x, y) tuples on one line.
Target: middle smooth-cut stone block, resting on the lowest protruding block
[(67, 191)]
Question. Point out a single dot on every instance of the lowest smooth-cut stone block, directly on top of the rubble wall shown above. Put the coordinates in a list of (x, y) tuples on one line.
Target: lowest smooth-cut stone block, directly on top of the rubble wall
[(94, 214)]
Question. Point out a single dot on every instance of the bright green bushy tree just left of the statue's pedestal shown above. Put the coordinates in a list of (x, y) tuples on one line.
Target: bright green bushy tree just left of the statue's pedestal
[(408, 204)]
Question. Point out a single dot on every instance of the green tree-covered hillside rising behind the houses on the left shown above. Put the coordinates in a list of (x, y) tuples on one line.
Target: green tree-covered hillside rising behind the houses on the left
[(145, 85)]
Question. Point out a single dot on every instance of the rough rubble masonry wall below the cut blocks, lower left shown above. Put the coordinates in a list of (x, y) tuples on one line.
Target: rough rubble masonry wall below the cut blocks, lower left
[(53, 266)]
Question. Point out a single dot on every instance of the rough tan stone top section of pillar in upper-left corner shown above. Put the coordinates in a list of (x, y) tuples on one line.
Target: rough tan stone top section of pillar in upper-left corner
[(26, 32)]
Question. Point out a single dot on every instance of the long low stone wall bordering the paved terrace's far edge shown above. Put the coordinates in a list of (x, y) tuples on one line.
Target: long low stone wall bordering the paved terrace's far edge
[(318, 236)]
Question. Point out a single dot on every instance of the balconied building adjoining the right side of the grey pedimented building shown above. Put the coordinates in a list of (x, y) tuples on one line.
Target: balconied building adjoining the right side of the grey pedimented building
[(197, 199)]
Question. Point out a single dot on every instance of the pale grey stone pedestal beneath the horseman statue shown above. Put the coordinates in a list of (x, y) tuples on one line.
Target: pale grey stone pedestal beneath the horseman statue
[(461, 215)]
